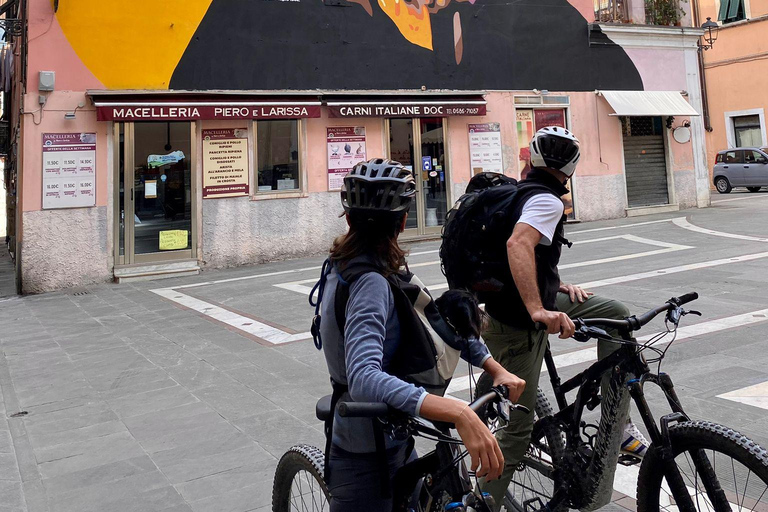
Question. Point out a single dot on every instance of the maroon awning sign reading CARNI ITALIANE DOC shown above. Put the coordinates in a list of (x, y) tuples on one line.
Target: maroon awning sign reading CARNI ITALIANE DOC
[(407, 110)]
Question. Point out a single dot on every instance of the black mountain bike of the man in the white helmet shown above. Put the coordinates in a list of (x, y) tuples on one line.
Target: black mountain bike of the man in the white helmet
[(690, 466)]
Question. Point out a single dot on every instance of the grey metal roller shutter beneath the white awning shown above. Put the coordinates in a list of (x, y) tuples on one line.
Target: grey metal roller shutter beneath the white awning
[(645, 164)]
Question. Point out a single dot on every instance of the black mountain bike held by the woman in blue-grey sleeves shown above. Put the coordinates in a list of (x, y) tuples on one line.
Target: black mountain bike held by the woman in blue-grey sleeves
[(435, 482)]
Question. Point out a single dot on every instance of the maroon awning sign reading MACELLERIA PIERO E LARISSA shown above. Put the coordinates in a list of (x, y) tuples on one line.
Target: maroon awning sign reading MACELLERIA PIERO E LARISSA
[(194, 112)]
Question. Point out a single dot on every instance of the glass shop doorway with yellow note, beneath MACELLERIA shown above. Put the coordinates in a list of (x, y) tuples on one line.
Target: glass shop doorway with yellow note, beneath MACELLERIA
[(155, 192)]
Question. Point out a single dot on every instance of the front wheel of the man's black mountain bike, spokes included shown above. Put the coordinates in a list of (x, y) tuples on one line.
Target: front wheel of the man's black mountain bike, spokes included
[(717, 469)]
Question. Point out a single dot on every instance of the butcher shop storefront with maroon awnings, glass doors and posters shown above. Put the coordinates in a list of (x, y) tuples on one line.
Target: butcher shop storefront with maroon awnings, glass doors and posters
[(220, 180)]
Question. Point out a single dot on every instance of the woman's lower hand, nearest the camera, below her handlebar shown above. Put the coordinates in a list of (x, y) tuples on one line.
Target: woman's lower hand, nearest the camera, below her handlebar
[(484, 451)]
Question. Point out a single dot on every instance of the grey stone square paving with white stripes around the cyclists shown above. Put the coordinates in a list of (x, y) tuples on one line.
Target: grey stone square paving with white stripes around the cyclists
[(132, 400)]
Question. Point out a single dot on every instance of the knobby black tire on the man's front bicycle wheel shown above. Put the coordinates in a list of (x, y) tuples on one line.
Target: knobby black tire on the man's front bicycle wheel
[(689, 438)]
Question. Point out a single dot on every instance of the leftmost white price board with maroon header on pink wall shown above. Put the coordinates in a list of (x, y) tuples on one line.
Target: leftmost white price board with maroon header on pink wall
[(69, 170)]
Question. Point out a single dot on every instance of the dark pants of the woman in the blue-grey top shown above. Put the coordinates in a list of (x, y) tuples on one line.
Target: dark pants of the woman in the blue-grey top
[(355, 479)]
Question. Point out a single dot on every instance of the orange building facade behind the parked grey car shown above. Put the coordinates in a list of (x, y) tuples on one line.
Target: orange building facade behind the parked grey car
[(738, 61)]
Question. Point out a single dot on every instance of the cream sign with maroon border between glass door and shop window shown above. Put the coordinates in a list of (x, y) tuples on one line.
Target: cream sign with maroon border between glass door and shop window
[(225, 163)]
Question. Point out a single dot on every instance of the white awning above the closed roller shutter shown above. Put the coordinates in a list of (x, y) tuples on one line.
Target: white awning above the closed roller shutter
[(648, 103)]
